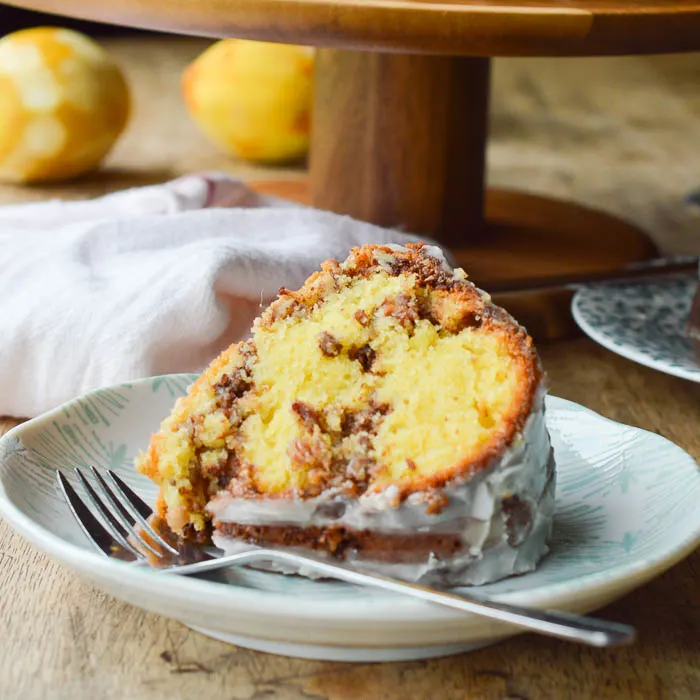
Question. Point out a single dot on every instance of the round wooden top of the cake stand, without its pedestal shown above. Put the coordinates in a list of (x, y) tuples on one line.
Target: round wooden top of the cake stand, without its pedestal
[(453, 27)]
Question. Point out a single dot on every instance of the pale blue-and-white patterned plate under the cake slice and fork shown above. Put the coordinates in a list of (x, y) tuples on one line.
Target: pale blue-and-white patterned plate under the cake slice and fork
[(627, 510)]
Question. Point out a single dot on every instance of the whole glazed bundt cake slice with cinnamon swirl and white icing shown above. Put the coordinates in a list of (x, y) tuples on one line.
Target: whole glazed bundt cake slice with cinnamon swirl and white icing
[(387, 413)]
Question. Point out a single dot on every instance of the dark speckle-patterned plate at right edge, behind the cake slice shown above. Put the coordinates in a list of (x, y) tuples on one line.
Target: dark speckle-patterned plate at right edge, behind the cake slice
[(642, 322)]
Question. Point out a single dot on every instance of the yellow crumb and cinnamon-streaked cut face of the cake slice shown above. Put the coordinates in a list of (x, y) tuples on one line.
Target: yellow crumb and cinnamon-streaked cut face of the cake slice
[(387, 370)]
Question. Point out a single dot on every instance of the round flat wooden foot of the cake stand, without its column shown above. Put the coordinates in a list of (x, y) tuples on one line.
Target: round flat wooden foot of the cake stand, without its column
[(529, 237)]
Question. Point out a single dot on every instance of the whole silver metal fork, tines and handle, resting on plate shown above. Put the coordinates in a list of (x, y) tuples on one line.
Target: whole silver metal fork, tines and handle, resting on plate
[(122, 512)]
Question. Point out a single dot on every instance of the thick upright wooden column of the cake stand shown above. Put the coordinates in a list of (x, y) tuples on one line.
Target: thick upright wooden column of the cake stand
[(400, 140)]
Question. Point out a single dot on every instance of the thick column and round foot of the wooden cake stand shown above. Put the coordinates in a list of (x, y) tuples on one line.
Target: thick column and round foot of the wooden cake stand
[(399, 140)]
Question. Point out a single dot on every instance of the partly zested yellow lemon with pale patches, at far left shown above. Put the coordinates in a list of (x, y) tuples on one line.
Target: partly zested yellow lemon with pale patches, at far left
[(63, 104)]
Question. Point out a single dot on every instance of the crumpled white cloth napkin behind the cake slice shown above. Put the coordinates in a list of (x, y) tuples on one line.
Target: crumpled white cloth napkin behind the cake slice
[(147, 281)]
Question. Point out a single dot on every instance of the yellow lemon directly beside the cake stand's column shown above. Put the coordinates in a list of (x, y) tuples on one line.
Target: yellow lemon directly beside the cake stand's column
[(253, 99)]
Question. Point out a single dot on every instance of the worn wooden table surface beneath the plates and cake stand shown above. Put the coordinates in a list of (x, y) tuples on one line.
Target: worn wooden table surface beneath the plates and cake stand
[(623, 134)]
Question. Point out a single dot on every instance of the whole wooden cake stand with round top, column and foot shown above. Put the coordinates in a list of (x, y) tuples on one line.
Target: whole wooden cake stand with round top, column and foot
[(401, 111)]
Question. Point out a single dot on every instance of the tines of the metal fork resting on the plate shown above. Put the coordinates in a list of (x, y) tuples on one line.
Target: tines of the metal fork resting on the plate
[(122, 525)]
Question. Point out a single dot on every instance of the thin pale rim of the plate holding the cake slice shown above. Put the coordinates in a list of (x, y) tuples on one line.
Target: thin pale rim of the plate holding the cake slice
[(363, 610)]
